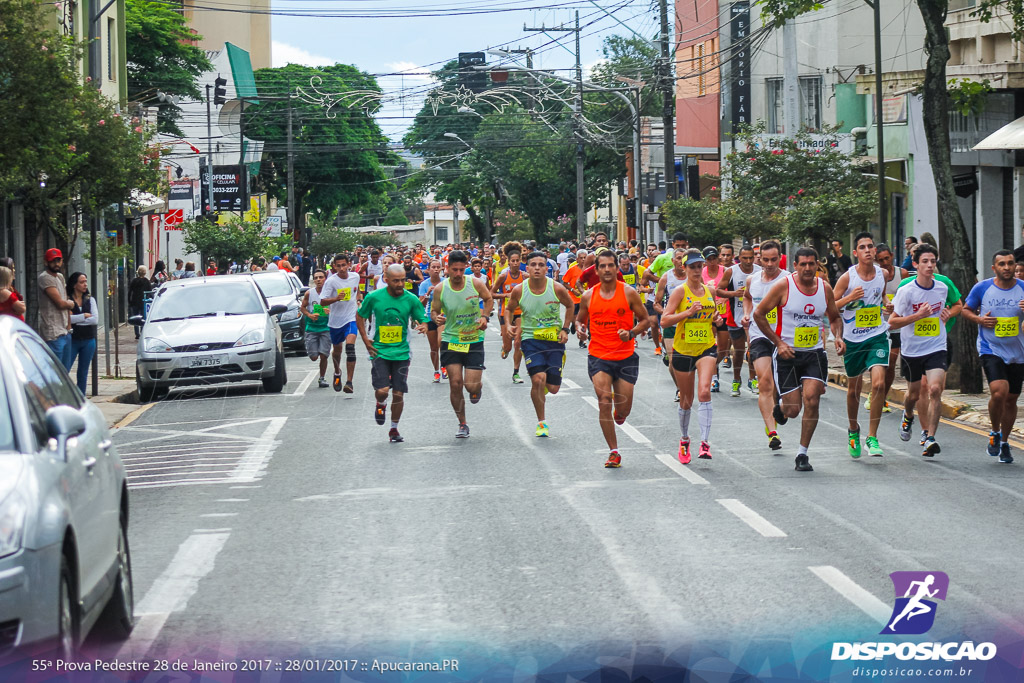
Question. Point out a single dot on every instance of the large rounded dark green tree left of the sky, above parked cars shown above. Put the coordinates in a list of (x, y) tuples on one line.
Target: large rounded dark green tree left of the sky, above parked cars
[(340, 154)]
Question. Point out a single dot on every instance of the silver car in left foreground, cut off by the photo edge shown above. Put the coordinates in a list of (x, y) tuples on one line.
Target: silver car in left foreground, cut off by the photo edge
[(65, 564)]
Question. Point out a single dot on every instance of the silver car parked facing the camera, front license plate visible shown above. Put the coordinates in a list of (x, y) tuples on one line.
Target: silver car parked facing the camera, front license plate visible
[(209, 330)]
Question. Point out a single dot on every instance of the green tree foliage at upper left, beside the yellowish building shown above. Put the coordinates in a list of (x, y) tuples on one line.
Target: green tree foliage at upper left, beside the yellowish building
[(162, 58)]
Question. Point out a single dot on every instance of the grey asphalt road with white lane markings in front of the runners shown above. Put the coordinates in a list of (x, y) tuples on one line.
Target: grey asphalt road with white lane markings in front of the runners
[(285, 525)]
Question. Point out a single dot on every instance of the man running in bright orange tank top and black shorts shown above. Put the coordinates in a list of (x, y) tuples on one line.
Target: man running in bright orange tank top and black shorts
[(608, 313)]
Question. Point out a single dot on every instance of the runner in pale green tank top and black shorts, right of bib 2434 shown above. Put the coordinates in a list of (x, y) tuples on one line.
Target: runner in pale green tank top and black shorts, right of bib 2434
[(456, 306)]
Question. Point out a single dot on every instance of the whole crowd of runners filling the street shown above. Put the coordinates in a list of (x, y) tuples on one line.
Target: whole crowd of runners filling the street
[(702, 312)]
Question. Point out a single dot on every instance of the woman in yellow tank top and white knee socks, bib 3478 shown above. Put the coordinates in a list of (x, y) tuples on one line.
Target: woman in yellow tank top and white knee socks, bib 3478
[(693, 307)]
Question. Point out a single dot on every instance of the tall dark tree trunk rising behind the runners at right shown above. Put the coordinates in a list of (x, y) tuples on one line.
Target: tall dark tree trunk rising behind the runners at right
[(961, 268)]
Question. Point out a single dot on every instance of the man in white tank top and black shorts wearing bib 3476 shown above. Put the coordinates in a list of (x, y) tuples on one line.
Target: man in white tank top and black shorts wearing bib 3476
[(801, 365)]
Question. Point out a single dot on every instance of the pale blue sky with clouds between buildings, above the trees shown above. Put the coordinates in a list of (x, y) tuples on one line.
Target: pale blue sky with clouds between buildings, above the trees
[(413, 47)]
